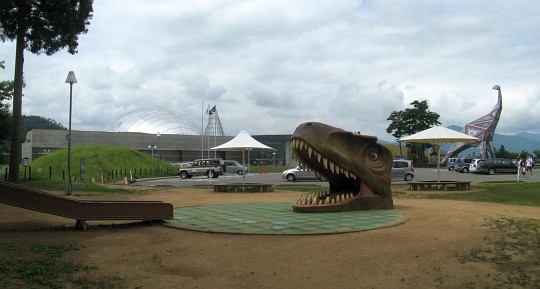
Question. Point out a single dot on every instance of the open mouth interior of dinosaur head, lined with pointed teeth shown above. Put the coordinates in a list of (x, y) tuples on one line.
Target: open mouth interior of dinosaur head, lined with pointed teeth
[(345, 185)]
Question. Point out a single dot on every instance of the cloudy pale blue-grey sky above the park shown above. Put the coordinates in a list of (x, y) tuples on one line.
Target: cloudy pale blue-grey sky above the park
[(271, 65)]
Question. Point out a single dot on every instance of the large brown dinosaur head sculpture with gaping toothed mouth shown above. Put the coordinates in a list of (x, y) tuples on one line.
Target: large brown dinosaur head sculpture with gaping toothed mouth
[(357, 168)]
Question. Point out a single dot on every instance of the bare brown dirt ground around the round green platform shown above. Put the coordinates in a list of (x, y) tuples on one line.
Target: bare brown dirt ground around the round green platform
[(421, 253)]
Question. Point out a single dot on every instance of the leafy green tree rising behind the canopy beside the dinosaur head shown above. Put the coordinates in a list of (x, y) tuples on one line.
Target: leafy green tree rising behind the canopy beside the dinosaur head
[(411, 121)]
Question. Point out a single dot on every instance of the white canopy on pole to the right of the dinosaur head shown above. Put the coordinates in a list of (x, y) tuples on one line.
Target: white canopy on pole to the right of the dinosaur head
[(438, 135)]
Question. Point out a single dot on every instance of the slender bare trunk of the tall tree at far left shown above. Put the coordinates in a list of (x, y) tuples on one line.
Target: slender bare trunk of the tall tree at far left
[(15, 157)]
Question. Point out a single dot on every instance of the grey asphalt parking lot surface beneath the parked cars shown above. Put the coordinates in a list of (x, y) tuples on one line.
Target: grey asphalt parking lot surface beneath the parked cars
[(421, 174)]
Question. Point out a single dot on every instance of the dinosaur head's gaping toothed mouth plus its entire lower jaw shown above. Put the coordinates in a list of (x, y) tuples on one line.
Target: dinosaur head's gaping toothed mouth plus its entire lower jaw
[(348, 191)]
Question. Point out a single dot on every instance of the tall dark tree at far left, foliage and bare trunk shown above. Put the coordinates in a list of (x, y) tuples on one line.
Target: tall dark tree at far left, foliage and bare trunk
[(40, 26)]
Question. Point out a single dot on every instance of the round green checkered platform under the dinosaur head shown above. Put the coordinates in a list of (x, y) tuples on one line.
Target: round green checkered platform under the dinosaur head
[(279, 219)]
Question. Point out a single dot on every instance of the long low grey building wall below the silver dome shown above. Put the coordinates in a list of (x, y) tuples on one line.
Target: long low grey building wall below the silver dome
[(173, 148)]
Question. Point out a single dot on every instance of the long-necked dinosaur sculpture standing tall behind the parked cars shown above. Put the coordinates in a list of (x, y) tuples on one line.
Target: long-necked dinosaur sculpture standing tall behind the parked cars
[(482, 128)]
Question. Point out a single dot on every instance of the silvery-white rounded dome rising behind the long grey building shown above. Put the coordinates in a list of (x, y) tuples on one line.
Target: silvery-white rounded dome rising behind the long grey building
[(153, 120)]
